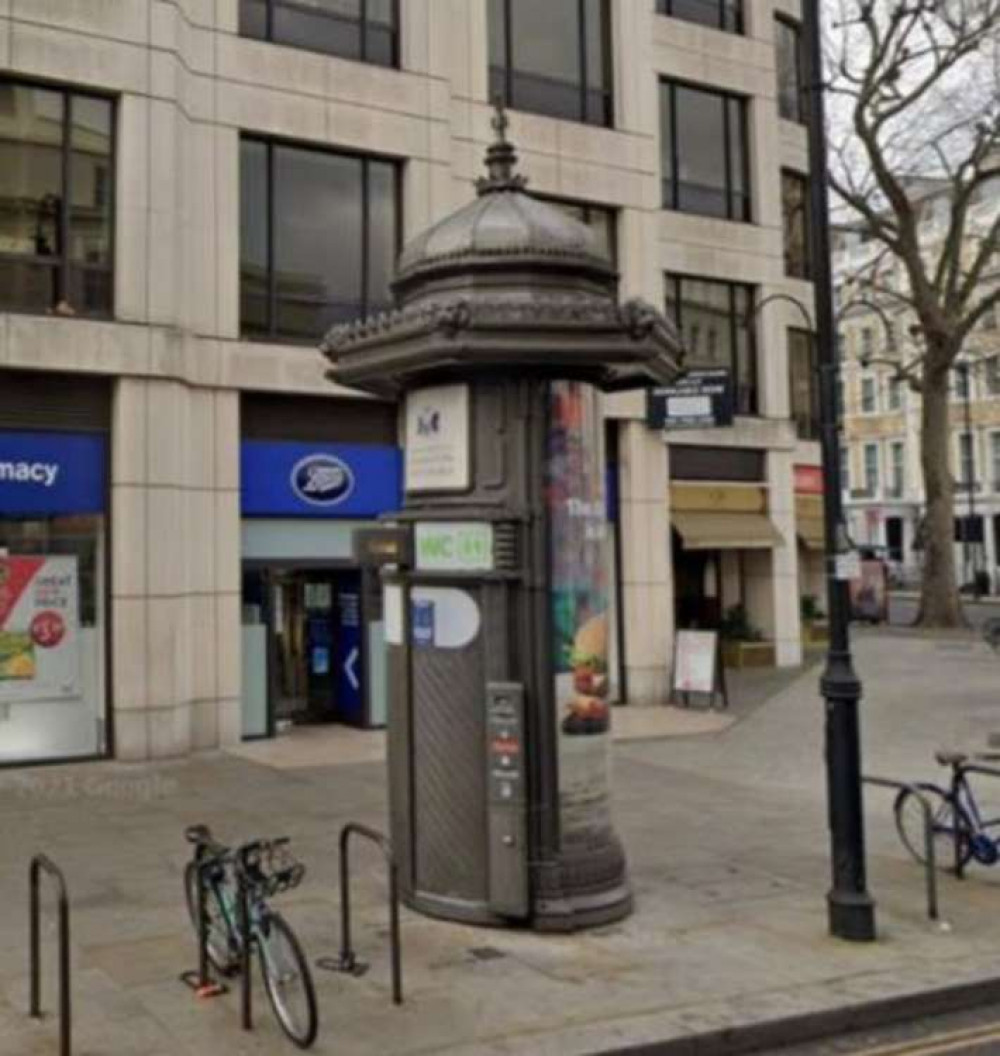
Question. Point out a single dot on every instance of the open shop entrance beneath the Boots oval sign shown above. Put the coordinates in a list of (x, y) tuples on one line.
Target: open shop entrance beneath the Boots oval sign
[(305, 653)]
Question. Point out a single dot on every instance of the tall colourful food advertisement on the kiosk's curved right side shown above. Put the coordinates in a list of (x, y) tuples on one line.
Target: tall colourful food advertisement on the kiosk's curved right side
[(578, 532)]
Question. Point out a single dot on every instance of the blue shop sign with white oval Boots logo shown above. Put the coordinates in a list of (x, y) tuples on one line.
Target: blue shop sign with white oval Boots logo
[(290, 479)]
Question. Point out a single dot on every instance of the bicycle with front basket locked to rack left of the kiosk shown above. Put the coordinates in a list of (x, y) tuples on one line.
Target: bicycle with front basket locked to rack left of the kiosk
[(262, 869)]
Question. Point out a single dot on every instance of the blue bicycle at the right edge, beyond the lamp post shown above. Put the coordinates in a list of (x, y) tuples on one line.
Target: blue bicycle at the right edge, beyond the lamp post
[(957, 818)]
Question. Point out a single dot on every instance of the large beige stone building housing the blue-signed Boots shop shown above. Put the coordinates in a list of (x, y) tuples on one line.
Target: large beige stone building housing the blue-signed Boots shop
[(194, 192)]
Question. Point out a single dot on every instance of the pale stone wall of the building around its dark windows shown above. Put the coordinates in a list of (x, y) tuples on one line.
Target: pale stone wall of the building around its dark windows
[(187, 86)]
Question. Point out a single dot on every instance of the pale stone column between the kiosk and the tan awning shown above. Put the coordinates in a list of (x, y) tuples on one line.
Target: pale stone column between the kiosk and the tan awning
[(648, 587)]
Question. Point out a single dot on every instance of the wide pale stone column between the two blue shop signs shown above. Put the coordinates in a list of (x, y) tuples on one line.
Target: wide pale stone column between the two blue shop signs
[(176, 572)]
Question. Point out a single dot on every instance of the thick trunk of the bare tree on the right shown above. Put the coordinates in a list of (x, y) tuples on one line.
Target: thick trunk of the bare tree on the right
[(940, 605)]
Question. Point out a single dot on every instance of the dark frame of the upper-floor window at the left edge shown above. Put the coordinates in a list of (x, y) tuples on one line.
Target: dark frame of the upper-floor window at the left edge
[(63, 266)]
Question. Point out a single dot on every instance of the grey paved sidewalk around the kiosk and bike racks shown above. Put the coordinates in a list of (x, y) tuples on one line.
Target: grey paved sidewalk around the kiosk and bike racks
[(728, 846)]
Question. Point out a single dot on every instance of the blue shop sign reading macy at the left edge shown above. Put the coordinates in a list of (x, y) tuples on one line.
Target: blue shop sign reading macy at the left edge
[(52, 474)]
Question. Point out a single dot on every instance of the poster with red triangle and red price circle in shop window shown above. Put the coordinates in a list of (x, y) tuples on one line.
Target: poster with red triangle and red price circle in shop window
[(40, 627)]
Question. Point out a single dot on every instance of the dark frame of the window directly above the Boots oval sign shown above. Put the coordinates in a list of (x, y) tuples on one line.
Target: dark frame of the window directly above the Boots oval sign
[(274, 336)]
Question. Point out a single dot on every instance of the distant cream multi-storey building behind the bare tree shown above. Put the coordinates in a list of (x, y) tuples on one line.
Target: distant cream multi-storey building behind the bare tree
[(884, 494)]
